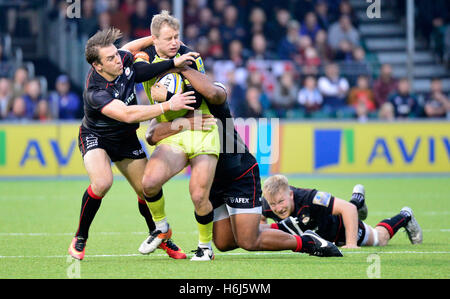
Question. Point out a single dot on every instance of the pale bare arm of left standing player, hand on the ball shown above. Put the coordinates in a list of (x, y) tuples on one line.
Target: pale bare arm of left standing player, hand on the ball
[(117, 110)]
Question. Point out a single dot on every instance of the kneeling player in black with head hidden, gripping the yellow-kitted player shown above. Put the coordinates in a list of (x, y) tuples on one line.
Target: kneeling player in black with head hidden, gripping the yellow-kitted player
[(236, 190)]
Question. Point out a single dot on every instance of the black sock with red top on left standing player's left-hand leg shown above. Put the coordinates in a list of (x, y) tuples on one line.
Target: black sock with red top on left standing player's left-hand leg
[(89, 207)]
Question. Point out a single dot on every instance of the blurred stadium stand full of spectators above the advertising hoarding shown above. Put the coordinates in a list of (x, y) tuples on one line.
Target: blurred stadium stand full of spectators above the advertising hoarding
[(272, 55)]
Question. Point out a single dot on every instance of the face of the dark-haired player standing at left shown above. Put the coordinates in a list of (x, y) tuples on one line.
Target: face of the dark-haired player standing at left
[(110, 62)]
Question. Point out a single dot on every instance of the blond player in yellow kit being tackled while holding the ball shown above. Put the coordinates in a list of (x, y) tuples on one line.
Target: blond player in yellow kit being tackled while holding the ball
[(199, 149)]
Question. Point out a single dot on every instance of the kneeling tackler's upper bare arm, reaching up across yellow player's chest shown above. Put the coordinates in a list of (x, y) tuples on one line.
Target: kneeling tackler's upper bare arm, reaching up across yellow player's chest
[(212, 92)]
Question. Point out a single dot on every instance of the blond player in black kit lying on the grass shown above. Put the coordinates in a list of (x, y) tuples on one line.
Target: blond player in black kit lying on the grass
[(296, 210)]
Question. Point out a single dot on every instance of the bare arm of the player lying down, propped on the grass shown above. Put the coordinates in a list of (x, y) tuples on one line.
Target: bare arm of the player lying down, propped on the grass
[(350, 218)]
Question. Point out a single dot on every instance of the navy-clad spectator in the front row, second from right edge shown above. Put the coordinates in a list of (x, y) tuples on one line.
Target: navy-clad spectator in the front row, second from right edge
[(404, 102)]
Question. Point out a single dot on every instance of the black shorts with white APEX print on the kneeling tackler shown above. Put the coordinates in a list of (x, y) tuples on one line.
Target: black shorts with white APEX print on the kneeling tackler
[(241, 195)]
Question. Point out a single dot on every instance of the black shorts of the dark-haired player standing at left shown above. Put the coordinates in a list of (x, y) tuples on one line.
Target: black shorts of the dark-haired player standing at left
[(126, 147)]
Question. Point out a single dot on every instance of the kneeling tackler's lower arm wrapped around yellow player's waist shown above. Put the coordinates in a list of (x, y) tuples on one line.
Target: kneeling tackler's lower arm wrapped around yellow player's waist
[(159, 131)]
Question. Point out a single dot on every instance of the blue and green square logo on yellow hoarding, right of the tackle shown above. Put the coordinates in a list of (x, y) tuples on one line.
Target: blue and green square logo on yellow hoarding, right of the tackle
[(332, 145)]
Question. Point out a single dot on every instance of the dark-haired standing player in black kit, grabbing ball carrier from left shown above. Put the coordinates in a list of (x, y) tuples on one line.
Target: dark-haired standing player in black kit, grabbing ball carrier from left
[(112, 116)]
